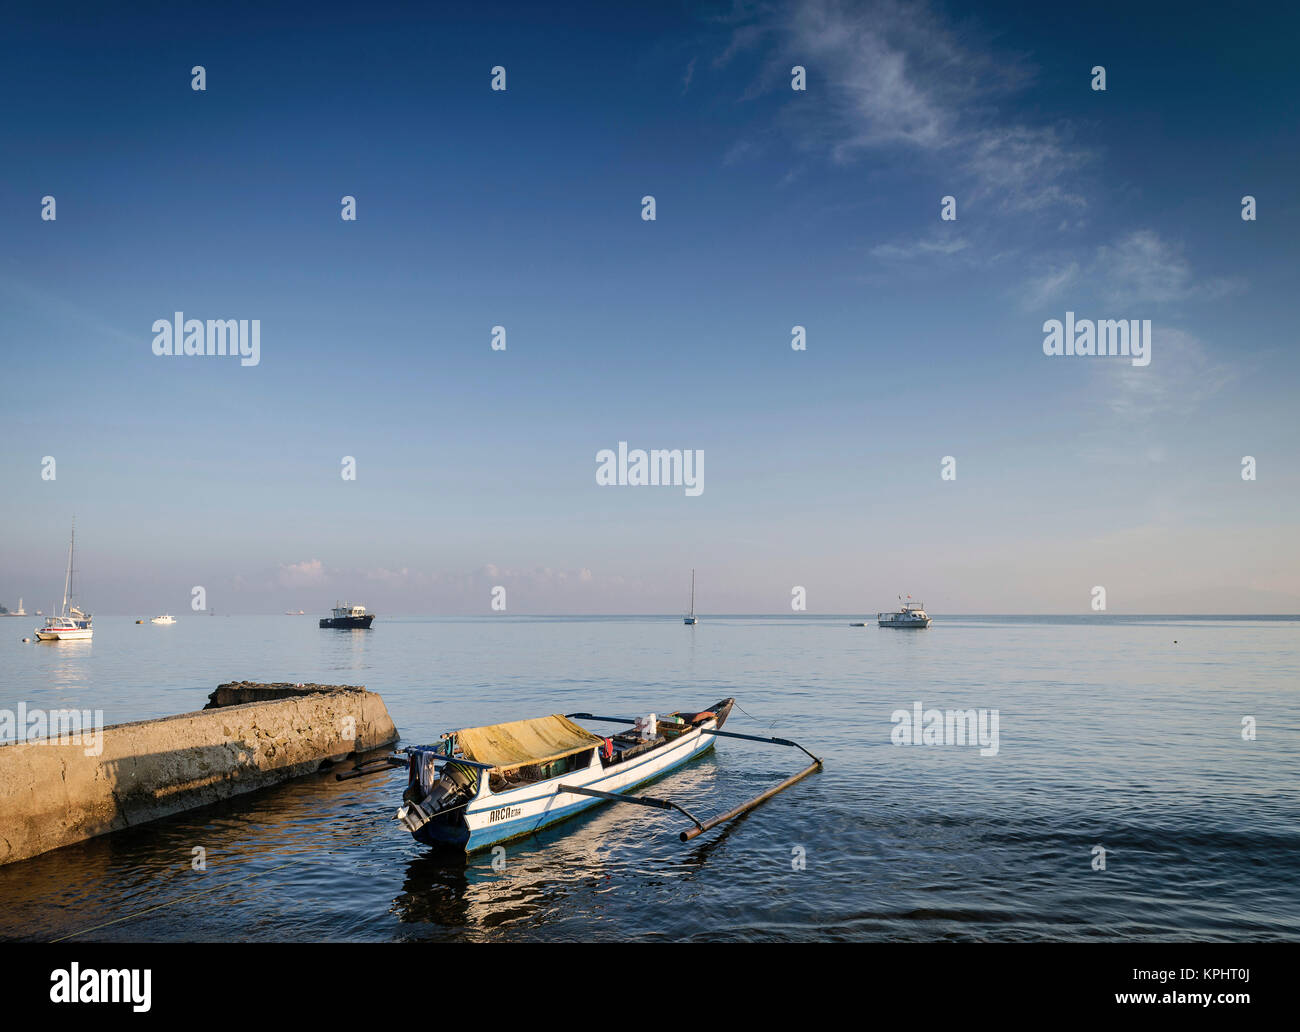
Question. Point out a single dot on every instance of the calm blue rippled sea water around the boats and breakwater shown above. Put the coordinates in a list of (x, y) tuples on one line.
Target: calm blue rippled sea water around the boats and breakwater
[(1110, 734)]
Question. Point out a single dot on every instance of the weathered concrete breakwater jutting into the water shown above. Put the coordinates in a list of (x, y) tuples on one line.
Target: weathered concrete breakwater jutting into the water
[(57, 792)]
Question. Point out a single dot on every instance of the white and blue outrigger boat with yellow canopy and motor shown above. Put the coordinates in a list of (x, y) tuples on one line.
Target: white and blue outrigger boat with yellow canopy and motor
[(486, 786)]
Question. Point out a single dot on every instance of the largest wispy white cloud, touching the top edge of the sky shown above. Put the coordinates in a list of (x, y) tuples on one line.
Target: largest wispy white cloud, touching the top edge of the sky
[(898, 77)]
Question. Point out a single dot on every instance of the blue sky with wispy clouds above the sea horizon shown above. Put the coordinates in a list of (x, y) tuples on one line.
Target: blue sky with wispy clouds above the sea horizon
[(523, 209)]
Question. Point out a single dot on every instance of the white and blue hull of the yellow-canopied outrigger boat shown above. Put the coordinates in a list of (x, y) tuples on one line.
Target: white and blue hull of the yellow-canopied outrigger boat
[(500, 817)]
